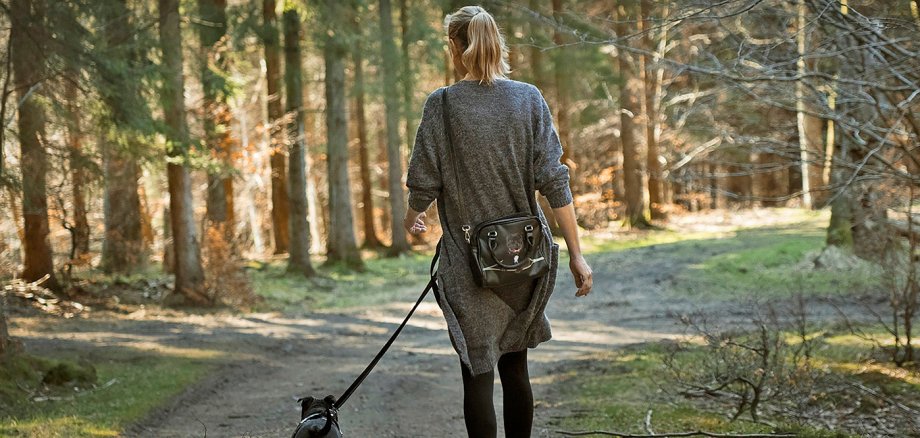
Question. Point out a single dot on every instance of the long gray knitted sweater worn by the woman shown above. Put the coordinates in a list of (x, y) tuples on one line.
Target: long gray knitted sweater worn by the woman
[(505, 148)]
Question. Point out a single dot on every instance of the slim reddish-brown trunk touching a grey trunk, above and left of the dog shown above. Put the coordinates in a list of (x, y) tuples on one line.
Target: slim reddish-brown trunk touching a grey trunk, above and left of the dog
[(280, 207)]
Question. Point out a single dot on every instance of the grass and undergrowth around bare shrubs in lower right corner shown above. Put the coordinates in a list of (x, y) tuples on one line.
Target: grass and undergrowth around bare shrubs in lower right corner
[(625, 391)]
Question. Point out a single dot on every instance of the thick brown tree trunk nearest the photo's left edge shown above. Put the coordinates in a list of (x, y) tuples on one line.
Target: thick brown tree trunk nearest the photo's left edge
[(26, 43)]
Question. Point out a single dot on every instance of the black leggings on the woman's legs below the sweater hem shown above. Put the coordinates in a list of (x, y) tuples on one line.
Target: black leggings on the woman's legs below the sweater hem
[(478, 410)]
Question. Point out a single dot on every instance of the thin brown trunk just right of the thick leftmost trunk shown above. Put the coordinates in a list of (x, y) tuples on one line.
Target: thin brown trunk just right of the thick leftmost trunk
[(80, 232)]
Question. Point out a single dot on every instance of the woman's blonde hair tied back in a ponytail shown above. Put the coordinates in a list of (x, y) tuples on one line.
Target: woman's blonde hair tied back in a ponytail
[(480, 41)]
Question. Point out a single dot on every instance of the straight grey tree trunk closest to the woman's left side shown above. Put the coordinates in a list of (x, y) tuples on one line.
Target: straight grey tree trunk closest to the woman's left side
[(394, 149)]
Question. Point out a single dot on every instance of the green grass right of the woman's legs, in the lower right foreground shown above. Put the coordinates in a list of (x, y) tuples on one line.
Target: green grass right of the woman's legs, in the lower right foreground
[(614, 391)]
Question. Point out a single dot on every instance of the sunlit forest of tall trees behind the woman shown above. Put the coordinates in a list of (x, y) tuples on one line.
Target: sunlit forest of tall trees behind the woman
[(197, 140)]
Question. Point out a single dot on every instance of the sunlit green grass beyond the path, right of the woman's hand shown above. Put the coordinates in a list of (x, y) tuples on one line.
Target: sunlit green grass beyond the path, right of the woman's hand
[(765, 261)]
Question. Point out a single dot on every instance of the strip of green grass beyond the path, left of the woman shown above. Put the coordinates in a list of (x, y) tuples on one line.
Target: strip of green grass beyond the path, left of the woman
[(383, 280)]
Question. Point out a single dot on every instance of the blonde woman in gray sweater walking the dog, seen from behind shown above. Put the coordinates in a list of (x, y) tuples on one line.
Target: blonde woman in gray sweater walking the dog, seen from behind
[(504, 148)]
